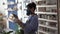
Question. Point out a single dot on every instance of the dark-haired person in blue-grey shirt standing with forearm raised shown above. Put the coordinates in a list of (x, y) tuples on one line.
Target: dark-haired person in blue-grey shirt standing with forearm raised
[(31, 25)]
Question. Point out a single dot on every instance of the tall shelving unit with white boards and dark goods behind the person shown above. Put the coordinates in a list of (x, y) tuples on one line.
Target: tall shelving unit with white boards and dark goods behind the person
[(47, 16)]
